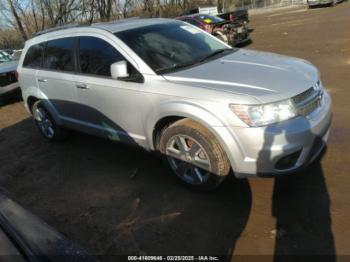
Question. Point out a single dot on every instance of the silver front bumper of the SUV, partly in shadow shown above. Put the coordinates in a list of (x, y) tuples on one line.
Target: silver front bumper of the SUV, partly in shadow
[(262, 149)]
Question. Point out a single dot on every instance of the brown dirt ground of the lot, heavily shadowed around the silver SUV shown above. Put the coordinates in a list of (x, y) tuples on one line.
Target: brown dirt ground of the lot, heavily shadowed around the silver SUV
[(113, 200)]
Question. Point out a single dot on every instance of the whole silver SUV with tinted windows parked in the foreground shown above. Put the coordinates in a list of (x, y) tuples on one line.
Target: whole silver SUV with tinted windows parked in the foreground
[(167, 86)]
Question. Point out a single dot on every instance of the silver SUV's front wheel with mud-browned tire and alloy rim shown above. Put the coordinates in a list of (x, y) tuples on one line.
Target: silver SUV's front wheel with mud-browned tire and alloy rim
[(194, 155)]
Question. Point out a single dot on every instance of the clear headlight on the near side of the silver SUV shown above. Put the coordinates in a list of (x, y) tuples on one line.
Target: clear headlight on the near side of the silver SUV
[(261, 115)]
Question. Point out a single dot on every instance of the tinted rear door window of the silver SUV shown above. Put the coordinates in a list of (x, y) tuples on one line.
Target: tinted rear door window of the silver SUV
[(59, 54)]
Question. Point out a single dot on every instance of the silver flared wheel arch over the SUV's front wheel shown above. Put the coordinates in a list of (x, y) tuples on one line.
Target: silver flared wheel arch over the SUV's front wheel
[(201, 115)]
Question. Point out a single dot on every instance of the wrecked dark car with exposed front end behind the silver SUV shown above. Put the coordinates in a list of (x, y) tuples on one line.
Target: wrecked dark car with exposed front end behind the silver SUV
[(232, 33)]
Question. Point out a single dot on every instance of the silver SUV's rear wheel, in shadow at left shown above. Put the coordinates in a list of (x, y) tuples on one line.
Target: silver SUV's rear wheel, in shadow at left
[(46, 124)]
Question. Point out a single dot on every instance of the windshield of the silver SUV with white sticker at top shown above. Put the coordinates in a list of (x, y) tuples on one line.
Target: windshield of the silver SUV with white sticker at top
[(169, 46)]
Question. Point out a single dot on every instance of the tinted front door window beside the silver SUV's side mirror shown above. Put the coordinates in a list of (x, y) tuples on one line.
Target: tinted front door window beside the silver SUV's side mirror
[(96, 56)]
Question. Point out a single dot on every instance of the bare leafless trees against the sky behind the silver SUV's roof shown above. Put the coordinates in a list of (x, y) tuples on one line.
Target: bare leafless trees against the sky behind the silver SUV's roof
[(30, 16)]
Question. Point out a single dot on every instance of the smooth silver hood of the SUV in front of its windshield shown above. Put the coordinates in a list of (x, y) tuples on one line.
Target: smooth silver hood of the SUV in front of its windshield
[(266, 76)]
